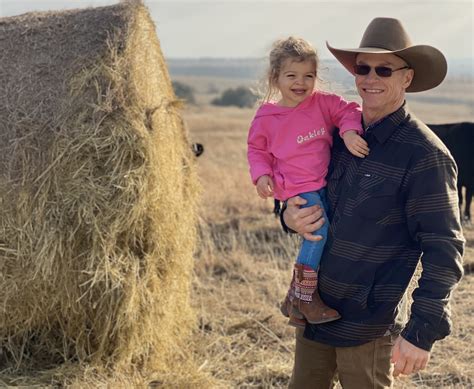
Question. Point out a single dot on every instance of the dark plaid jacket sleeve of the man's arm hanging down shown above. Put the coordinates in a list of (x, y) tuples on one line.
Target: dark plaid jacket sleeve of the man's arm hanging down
[(433, 221)]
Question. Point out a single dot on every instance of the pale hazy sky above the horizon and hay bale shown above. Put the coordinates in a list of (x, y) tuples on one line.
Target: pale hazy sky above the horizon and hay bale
[(242, 28)]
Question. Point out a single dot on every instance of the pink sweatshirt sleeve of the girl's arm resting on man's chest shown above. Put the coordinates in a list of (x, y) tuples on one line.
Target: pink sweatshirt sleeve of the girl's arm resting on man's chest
[(344, 115)]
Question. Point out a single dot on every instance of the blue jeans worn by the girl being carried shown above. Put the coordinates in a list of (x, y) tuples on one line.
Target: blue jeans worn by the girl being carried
[(310, 252)]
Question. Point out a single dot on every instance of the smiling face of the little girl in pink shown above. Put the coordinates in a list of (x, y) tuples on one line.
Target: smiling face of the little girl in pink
[(295, 81)]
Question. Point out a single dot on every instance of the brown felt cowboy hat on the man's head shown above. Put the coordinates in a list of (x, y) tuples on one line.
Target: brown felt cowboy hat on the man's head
[(387, 35)]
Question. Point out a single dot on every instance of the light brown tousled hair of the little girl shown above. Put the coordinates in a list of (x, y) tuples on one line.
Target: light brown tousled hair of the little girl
[(296, 49)]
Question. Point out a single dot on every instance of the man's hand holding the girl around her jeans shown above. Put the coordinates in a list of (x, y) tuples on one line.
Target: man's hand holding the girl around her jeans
[(303, 220)]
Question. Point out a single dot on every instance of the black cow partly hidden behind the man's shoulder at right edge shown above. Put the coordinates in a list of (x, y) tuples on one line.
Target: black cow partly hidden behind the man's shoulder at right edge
[(459, 138)]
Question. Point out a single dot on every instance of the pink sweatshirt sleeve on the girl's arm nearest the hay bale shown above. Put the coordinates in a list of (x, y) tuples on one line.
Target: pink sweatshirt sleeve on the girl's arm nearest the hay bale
[(259, 158)]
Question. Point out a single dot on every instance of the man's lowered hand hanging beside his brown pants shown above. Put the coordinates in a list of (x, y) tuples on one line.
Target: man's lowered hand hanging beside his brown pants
[(408, 358)]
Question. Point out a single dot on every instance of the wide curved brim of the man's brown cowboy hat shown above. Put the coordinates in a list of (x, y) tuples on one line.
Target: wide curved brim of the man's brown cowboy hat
[(429, 64)]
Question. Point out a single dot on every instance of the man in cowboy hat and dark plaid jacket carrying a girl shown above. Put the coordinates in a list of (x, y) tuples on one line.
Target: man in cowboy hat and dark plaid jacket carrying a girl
[(388, 210)]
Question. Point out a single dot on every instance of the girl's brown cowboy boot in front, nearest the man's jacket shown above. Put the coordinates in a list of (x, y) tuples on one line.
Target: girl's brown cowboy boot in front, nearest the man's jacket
[(307, 298)]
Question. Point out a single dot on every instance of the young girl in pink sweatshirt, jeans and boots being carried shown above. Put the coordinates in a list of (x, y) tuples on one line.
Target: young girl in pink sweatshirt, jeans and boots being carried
[(289, 145)]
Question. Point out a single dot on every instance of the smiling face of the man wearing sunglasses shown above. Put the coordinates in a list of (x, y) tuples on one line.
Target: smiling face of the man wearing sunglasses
[(383, 93)]
